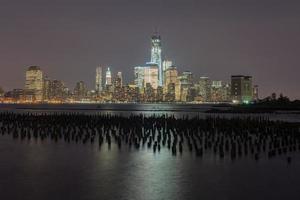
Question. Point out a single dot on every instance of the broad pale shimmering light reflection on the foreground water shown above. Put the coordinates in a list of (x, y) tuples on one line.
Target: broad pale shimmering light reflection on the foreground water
[(157, 176)]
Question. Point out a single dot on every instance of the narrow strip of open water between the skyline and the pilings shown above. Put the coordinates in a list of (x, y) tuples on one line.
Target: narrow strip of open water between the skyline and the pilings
[(178, 110)]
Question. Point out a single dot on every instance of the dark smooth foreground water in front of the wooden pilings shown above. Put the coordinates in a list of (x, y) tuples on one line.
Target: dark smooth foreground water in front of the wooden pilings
[(32, 169)]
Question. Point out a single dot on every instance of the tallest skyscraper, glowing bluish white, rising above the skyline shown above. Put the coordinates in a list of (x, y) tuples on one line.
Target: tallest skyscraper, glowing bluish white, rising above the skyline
[(156, 56)]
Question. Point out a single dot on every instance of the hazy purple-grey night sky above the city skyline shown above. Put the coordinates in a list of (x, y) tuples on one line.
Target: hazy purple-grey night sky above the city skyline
[(215, 38)]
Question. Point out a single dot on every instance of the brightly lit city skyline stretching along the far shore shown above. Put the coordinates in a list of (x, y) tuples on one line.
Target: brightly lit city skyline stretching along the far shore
[(155, 81)]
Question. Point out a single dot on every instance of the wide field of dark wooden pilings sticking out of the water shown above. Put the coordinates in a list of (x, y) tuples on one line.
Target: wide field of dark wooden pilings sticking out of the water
[(235, 137)]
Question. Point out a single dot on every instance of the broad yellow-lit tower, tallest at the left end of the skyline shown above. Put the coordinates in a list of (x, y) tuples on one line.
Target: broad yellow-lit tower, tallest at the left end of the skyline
[(34, 83)]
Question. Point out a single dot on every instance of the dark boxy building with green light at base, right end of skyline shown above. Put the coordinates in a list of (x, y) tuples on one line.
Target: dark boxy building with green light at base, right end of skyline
[(241, 89)]
